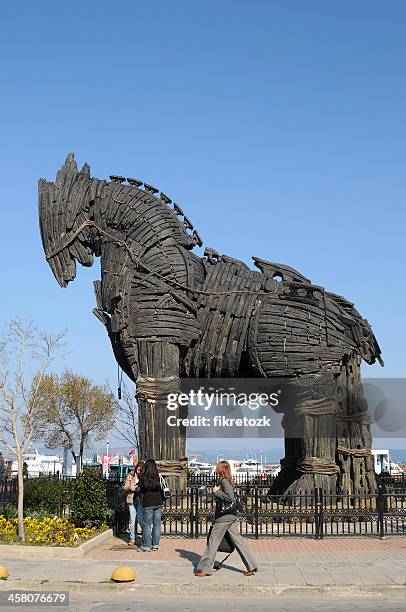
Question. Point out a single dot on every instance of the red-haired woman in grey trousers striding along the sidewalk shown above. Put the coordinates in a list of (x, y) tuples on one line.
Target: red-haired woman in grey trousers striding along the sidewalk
[(225, 522)]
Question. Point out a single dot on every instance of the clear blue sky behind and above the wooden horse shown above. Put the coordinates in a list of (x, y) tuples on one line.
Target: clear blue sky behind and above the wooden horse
[(278, 125)]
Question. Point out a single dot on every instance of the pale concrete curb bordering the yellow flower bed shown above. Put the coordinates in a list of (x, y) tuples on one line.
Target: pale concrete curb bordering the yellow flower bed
[(16, 551)]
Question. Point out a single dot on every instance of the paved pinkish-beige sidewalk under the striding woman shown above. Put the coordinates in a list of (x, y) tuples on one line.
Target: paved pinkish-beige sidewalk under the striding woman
[(285, 566)]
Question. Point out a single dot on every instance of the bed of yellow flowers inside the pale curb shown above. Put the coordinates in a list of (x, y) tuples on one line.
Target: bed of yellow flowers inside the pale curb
[(48, 531)]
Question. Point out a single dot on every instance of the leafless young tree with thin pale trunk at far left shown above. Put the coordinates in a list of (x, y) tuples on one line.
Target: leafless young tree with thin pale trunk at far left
[(26, 354)]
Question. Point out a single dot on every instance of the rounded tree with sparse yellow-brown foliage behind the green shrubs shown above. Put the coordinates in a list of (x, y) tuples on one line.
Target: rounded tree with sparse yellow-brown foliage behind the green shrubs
[(75, 412)]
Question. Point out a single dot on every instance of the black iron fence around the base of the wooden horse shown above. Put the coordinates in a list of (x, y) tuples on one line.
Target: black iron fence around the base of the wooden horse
[(190, 513)]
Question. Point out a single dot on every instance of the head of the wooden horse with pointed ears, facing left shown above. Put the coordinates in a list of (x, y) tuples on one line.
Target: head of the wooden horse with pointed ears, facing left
[(66, 219)]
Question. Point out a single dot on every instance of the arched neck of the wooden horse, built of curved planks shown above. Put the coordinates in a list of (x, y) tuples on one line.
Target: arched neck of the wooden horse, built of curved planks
[(141, 236)]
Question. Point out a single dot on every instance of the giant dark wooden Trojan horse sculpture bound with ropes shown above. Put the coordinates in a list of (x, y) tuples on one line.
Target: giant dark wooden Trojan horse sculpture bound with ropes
[(172, 314)]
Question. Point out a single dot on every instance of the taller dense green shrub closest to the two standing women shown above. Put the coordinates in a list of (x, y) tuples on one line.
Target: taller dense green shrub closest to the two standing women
[(88, 503)]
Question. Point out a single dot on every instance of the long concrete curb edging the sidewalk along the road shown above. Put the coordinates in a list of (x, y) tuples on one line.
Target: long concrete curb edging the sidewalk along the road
[(199, 589)]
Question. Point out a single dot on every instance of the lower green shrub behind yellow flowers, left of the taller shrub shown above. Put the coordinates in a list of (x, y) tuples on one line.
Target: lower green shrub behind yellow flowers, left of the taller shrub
[(45, 494)]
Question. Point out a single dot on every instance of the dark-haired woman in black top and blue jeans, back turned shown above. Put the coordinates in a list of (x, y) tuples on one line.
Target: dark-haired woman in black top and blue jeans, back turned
[(151, 497)]
